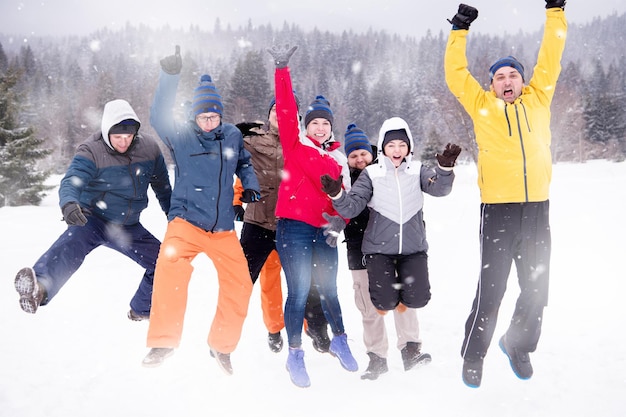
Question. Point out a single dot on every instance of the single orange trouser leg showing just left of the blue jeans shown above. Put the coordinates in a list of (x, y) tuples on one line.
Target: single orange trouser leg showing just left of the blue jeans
[(272, 294)]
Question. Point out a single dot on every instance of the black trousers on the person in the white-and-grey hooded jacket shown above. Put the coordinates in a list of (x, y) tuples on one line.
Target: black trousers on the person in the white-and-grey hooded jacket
[(395, 279)]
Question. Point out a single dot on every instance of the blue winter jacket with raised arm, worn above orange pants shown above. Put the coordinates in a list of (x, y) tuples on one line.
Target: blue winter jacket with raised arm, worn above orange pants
[(206, 163)]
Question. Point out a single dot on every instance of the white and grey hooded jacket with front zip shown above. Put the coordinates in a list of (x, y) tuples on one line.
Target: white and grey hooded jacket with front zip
[(395, 198)]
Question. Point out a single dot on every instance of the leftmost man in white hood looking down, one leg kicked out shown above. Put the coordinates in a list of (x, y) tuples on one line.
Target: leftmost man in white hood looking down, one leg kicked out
[(102, 195)]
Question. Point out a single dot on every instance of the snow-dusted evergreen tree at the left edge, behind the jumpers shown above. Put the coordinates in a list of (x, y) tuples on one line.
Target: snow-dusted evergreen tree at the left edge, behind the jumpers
[(21, 182)]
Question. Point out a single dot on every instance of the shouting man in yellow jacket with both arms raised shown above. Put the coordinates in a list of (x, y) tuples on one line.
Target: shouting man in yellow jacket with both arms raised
[(512, 128)]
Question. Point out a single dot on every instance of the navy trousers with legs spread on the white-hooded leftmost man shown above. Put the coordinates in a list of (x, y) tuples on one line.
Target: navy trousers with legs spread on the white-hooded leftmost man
[(66, 255)]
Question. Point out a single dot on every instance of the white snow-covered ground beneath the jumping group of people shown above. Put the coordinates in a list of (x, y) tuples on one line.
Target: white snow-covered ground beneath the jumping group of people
[(81, 356)]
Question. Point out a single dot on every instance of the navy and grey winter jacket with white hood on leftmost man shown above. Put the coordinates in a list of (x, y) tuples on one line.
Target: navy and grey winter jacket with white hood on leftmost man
[(111, 185)]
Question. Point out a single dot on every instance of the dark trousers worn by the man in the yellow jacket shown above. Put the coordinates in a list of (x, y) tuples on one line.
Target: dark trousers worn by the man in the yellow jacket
[(520, 233)]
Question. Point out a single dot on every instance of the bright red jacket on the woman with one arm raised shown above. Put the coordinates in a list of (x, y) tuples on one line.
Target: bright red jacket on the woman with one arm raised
[(300, 196)]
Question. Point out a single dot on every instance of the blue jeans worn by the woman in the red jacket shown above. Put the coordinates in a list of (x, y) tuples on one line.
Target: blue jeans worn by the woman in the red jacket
[(307, 259)]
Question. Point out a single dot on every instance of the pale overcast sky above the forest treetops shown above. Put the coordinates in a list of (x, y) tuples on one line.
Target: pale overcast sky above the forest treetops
[(81, 17)]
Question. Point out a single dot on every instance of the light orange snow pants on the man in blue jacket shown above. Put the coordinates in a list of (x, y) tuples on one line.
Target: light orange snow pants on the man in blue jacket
[(182, 242)]
